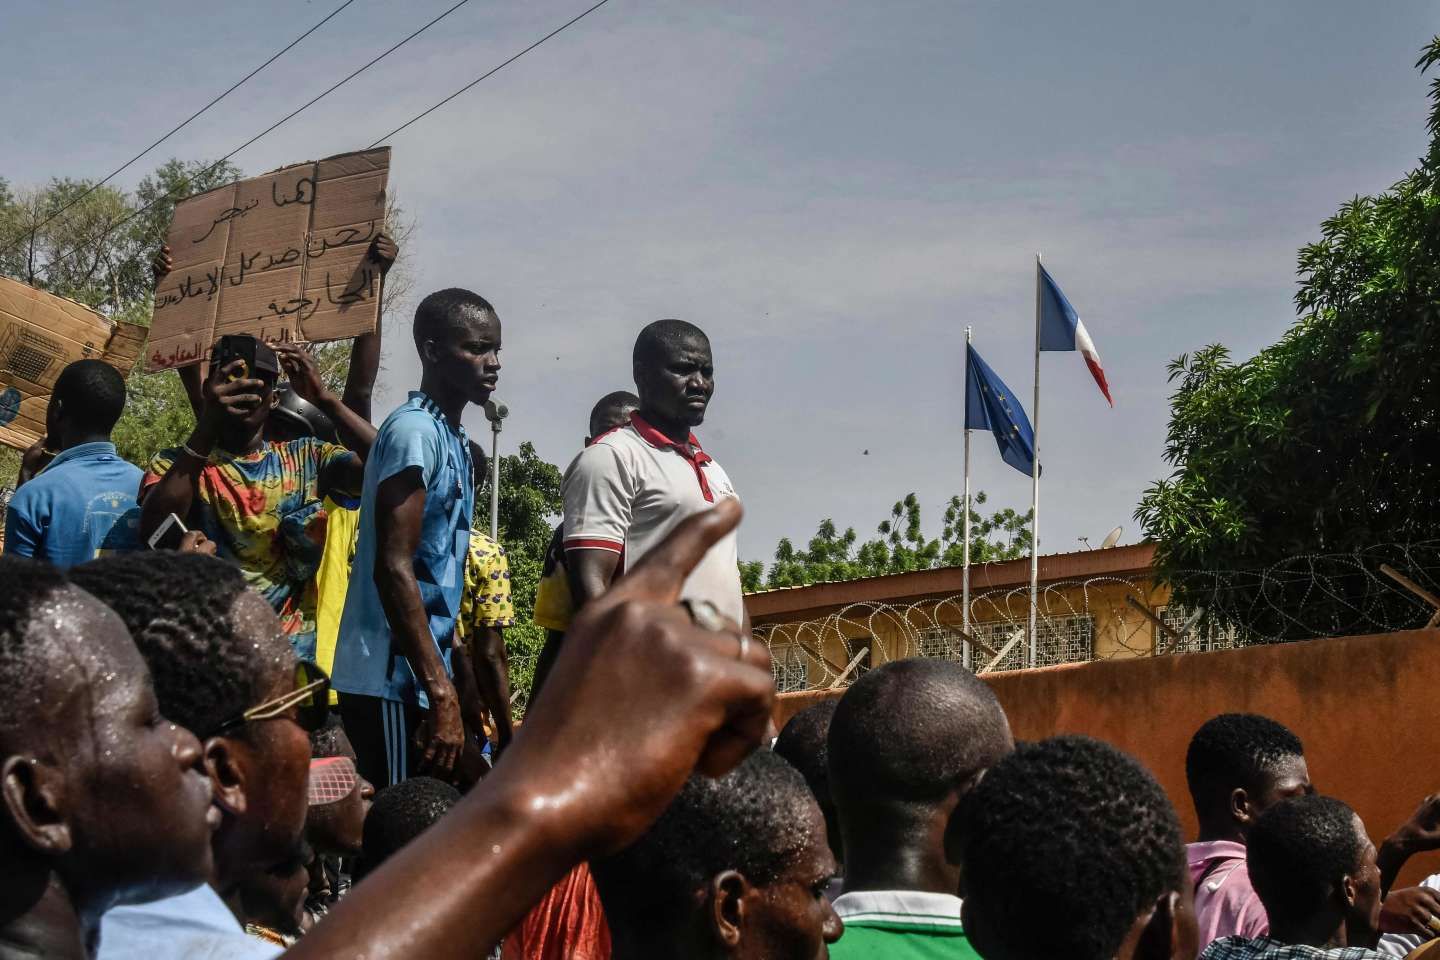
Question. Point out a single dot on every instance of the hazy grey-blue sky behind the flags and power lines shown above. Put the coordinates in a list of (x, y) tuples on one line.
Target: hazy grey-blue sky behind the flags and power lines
[(832, 189)]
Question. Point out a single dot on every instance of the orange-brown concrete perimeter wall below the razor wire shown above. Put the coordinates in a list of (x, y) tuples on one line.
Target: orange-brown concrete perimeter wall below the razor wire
[(1367, 709)]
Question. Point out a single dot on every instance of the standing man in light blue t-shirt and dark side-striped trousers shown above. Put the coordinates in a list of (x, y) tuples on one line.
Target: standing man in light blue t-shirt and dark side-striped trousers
[(397, 634)]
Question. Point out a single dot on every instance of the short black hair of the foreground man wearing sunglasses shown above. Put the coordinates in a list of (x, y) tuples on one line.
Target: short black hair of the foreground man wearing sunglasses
[(179, 611)]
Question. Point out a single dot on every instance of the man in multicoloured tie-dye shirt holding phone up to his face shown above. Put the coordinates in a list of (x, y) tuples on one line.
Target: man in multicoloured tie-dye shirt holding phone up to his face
[(256, 499)]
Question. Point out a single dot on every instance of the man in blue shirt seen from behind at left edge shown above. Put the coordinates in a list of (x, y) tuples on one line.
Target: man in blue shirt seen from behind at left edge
[(83, 504)]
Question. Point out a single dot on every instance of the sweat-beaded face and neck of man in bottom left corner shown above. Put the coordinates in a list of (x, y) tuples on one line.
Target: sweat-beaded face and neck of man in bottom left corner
[(107, 801)]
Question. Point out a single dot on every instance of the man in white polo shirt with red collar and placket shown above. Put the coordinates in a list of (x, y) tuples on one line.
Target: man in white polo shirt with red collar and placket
[(636, 484)]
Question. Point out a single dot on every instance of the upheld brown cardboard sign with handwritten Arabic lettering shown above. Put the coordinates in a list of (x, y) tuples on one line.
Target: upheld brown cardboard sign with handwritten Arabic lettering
[(283, 257)]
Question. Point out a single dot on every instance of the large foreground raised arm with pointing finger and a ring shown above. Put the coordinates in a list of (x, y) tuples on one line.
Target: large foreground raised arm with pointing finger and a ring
[(693, 699)]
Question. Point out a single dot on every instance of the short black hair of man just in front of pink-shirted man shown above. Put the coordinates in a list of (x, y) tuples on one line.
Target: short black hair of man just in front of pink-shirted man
[(1298, 853)]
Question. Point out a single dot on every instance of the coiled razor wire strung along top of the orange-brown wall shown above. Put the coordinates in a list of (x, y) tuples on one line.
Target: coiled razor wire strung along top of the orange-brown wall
[(1307, 597)]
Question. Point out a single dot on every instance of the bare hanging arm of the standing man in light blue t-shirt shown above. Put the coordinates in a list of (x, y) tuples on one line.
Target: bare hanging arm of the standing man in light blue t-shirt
[(400, 510)]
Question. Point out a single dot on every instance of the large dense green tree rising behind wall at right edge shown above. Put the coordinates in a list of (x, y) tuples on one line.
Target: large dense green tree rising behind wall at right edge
[(1327, 441)]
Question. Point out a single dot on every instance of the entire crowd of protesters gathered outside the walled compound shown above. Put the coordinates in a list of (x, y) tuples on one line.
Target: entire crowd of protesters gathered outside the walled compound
[(261, 707)]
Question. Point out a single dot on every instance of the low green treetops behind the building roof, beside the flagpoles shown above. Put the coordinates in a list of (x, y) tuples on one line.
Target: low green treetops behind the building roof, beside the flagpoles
[(901, 546)]
